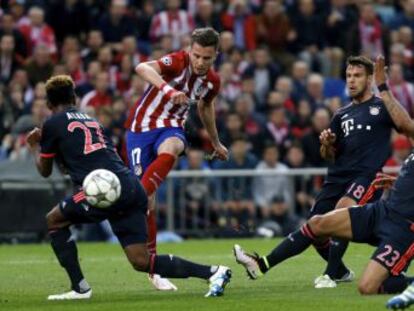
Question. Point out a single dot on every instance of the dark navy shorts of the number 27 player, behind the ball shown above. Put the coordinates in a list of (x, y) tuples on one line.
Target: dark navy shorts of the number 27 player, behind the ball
[(127, 216)]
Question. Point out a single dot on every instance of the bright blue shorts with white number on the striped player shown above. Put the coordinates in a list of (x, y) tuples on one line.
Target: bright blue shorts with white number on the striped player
[(142, 148)]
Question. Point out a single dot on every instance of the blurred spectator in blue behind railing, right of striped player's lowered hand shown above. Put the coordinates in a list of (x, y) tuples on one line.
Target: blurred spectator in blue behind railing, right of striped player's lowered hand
[(236, 192)]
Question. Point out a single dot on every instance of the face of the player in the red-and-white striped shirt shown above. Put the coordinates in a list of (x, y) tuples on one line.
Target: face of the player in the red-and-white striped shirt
[(202, 58)]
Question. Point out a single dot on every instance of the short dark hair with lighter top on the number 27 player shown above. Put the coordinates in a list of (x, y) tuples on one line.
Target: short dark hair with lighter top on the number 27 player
[(60, 90)]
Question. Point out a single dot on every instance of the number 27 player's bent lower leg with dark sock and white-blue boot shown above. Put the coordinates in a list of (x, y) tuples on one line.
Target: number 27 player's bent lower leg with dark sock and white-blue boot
[(175, 267)]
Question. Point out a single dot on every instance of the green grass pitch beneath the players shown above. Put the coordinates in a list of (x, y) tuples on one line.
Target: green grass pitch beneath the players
[(28, 273)]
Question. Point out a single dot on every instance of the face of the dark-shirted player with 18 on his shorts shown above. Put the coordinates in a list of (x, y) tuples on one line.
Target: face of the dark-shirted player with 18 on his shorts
[(357, 81)]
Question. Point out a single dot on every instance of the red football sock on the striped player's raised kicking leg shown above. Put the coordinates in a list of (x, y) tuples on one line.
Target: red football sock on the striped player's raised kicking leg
[(156, 172)]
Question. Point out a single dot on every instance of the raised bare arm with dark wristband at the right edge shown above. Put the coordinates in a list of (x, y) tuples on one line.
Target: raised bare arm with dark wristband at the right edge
[(398, 114)]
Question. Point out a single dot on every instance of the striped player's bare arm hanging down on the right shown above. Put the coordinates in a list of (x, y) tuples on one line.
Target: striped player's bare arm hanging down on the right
[(208, 118)]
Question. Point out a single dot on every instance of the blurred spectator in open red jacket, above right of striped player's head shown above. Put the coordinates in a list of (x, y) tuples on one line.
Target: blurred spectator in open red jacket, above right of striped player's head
[(241, 23)]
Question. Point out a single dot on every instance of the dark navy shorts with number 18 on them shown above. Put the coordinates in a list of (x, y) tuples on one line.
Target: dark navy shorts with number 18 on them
[(332, 192)]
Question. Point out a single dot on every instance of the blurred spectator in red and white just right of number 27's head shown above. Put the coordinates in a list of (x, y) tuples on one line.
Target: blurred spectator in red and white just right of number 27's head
[(100, 96)]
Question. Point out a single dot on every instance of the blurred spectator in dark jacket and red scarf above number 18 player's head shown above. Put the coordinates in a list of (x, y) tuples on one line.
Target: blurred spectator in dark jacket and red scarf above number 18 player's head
[(368, 36)]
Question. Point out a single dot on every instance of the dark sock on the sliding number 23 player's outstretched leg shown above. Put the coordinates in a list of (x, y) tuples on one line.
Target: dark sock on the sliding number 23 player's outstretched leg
[(294, 244)]
